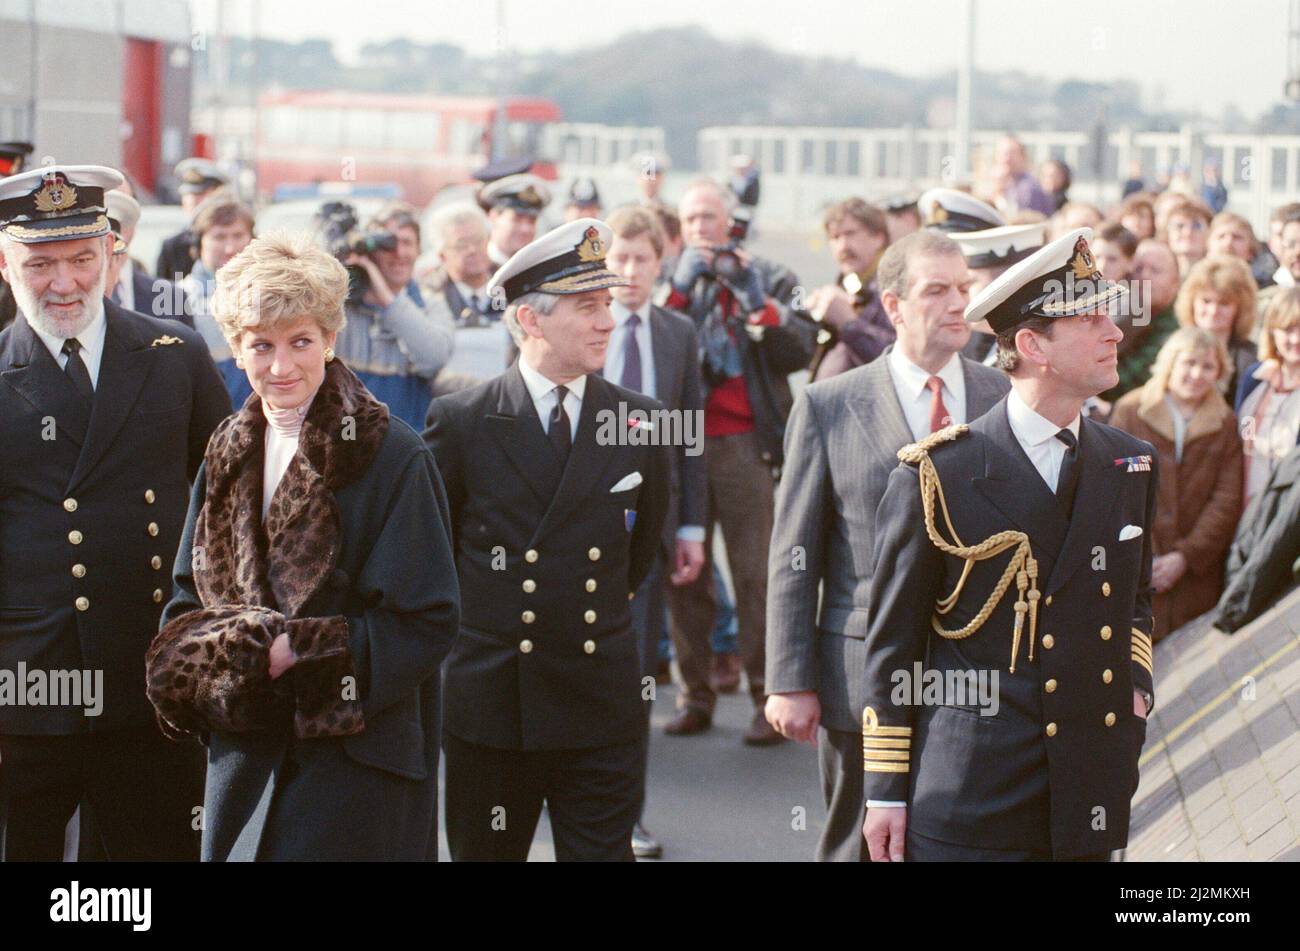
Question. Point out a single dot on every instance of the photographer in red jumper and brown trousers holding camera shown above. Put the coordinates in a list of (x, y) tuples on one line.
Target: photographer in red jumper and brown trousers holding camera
[(752, 342)]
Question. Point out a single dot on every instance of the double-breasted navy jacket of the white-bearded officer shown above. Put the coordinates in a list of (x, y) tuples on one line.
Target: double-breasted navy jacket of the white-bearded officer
[(92, 507)]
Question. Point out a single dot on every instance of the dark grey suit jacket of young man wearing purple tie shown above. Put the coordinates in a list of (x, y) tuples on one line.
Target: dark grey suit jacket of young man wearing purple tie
[(678, 387)]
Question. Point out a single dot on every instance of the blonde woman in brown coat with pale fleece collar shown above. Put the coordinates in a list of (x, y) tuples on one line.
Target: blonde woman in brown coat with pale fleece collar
[(1199, 500)]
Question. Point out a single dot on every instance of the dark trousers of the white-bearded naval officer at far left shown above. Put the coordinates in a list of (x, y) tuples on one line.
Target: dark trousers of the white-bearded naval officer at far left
[(137, 789)]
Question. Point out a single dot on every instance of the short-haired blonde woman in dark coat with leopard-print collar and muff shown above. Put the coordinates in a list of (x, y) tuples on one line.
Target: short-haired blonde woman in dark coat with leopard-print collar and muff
[(315, 592)]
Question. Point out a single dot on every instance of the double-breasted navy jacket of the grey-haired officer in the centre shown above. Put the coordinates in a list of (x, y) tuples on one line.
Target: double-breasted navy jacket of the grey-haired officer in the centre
[(547, 658)]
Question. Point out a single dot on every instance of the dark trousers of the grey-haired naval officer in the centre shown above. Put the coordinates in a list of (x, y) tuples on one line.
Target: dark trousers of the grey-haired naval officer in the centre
[(495, 800)]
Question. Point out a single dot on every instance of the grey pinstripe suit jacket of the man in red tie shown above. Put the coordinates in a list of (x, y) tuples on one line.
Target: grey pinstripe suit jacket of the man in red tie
[(842, 444)]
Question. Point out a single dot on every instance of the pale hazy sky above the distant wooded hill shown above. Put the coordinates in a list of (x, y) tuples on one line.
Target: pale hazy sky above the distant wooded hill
[(1193, 53)]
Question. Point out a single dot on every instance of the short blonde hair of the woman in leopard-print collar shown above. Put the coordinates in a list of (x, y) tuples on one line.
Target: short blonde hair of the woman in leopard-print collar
[(279, 280)]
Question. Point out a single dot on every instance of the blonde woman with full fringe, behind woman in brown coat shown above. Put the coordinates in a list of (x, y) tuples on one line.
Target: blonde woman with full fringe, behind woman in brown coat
[(1219, 297)]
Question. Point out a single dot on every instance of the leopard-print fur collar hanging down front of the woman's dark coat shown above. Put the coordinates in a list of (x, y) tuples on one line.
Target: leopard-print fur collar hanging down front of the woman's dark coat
[(284, 567)]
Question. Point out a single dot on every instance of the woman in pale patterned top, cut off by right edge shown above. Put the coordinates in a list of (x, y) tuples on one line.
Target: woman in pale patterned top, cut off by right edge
[(1268, 399)]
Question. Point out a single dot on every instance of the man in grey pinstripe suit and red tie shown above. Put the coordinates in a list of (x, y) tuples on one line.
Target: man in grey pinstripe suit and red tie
[(846, 435)]
